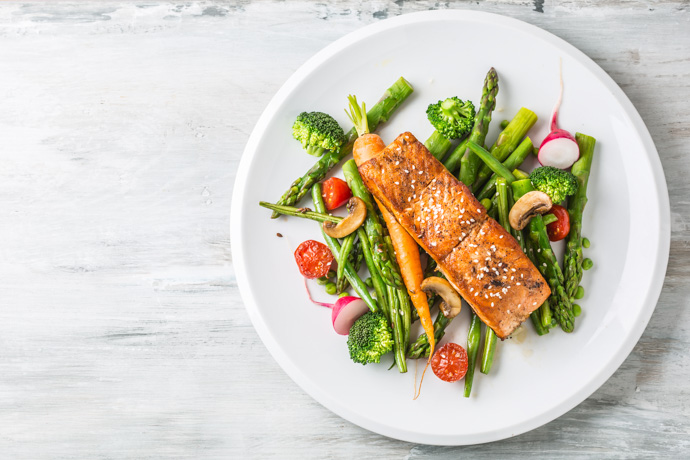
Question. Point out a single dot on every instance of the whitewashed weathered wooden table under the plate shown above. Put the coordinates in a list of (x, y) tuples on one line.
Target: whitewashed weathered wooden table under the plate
[(122, 331)]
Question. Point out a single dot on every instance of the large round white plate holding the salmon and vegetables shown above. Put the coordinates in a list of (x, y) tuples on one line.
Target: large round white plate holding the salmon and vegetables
[(535, 379)]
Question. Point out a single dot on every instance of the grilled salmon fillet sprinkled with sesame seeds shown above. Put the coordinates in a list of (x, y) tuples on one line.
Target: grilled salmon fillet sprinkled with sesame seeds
[(480, 259)]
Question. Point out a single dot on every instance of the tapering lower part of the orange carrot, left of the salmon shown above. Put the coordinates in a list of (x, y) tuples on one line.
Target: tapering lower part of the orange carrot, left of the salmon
[(407, 254)]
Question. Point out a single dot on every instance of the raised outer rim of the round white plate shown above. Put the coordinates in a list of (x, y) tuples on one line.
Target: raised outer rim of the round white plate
[(597, 380)]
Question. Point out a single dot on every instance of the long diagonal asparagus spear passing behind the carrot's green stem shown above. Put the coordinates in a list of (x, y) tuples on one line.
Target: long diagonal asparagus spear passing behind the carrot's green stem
[(380, 113)]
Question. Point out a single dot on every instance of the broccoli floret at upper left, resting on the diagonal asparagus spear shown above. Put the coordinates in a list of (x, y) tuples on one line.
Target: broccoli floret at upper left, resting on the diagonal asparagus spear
[(318, 132)]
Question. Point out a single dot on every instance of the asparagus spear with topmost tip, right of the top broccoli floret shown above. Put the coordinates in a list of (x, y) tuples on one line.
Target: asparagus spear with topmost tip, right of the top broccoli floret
[(469, 165)]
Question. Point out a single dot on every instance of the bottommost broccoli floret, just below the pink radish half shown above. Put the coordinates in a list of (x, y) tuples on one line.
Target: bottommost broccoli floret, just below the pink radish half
[(370, 338)]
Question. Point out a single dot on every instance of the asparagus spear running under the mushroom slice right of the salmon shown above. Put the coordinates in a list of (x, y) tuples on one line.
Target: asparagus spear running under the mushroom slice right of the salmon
[(547, 263)]
